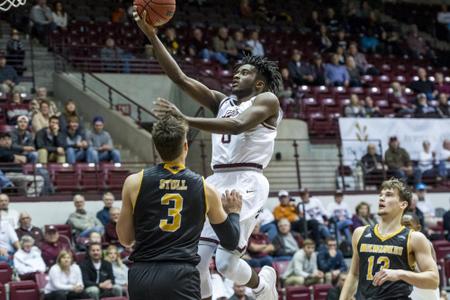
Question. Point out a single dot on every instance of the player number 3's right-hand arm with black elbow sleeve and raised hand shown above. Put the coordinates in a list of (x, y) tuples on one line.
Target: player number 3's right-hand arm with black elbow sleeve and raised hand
[(224, 216)]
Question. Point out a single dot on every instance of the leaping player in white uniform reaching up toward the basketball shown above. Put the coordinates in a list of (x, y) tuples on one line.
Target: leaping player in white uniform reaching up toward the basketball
[(243, 138)]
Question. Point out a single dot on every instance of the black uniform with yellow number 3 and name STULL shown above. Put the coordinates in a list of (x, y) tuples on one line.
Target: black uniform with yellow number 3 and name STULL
[(169, 213)]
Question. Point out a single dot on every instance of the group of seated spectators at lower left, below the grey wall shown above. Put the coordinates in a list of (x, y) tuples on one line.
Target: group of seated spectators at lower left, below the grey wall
[(81, 264)]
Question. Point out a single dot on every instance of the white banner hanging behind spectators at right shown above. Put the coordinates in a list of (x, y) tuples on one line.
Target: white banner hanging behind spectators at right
[(357, 133)]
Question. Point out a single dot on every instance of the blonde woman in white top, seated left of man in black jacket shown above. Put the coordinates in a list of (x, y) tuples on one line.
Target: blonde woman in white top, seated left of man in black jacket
[(65, 280)]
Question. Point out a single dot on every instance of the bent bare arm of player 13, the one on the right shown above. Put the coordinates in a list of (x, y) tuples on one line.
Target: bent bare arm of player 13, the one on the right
[(427, 278)]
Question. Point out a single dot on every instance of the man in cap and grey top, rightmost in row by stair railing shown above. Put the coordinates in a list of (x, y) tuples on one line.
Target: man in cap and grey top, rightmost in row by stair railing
[(101, 143)]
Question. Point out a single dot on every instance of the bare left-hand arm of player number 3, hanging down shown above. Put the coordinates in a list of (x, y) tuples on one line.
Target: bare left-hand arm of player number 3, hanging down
[(124, 226)]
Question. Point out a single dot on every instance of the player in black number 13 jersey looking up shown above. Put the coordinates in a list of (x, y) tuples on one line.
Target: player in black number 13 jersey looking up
[(384, 256)]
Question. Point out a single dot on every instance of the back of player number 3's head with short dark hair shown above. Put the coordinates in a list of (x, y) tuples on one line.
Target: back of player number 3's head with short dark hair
[(169, 134)]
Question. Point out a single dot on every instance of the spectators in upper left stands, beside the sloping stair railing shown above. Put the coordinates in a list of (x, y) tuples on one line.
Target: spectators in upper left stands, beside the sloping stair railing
[(34, 131)]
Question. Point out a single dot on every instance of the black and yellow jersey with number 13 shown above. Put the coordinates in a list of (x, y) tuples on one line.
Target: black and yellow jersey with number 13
[(377, 252)]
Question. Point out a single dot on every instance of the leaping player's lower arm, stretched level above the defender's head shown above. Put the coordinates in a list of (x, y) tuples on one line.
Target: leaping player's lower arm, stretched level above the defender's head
[(266, 105)]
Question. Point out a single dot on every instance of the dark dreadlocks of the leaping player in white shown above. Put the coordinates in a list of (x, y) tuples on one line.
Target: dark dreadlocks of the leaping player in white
[(266, 68)]
